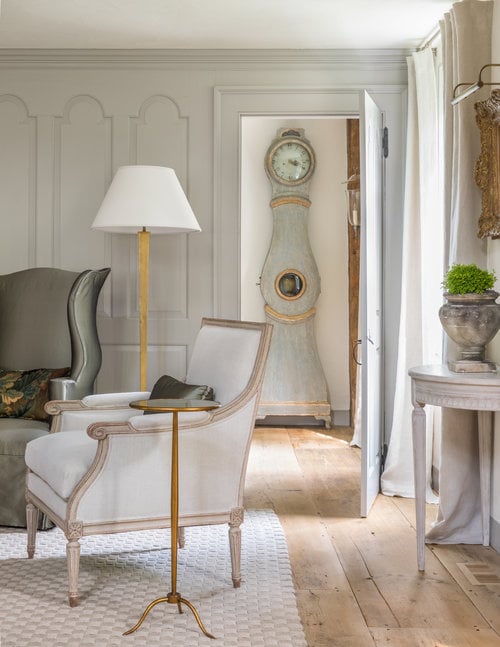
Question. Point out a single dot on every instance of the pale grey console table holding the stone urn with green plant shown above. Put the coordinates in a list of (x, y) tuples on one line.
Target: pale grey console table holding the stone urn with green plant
[(437, 385)]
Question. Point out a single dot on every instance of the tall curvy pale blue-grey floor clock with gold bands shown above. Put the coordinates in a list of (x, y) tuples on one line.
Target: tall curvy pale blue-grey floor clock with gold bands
[(294, 383)]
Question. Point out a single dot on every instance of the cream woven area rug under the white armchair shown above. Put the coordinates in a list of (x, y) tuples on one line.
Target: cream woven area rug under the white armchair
[(120, 574)]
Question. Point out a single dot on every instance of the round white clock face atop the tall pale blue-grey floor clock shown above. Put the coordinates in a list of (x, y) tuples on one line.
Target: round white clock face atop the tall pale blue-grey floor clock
[(291, 162)]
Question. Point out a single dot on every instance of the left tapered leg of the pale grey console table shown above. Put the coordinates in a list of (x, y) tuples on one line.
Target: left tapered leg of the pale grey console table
[(419, 442)]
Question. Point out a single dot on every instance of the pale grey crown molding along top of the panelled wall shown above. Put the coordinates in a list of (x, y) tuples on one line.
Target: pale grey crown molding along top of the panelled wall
[(363, 59)]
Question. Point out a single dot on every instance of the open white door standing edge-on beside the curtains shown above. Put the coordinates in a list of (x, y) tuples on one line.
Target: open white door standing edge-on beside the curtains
[(371, 158)]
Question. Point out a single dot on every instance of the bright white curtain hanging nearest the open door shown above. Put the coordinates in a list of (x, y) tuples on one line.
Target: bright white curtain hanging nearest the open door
[(420, 333)]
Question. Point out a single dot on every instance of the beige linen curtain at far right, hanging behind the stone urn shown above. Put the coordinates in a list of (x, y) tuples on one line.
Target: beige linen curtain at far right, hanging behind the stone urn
[(466, 37)]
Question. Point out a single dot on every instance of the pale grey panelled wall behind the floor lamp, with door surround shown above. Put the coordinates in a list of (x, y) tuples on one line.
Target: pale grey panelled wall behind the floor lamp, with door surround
[(69, 119)]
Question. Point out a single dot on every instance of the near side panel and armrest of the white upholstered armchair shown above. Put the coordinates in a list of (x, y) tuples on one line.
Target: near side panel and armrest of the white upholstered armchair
[(211, 451)]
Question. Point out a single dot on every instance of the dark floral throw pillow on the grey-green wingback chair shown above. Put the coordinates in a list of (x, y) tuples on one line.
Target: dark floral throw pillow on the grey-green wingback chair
[(23, 394)]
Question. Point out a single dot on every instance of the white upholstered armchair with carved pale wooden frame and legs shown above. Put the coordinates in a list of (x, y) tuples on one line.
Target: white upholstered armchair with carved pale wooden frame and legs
[(106, 469)]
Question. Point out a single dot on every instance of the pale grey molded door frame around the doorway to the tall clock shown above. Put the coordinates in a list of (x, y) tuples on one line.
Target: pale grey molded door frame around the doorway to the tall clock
[(231, 103)]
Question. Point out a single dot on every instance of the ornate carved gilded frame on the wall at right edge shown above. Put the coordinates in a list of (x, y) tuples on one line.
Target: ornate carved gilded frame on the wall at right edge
[(487, 167)]
